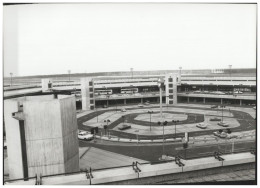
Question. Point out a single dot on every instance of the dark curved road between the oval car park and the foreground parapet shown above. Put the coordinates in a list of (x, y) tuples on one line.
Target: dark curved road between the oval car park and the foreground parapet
[(152, 152)]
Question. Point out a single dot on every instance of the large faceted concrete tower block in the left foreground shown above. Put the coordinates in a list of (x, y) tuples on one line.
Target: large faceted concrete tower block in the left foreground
[(41, 133)]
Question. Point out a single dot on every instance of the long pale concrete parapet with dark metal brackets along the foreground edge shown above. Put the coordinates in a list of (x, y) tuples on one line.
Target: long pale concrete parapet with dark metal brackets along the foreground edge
[(138, 170)]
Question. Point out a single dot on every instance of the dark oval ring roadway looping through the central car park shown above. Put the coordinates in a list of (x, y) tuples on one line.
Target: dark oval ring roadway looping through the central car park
[(246, 121)]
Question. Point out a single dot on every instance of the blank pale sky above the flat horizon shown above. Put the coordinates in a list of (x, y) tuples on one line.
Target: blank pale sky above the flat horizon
[(54, 38)]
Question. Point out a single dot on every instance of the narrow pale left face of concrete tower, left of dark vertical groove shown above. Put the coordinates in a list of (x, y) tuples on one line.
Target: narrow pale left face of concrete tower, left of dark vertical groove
[(13, 140)]
